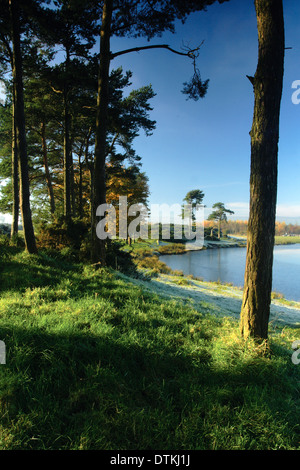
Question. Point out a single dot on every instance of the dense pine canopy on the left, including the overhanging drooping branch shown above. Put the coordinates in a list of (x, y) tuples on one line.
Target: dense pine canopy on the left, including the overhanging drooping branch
[(71, 129)]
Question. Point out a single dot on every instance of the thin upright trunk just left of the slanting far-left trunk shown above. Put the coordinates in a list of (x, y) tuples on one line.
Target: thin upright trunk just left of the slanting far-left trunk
[(15, 177)]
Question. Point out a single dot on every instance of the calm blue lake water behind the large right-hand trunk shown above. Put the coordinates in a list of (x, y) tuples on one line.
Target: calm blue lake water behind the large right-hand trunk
[(228, 265)]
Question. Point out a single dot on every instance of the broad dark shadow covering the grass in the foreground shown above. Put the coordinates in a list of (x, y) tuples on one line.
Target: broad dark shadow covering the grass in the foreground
[(84, 391)]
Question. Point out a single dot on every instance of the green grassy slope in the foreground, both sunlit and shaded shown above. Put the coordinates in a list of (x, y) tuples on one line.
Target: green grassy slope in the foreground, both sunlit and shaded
[(95, 362)]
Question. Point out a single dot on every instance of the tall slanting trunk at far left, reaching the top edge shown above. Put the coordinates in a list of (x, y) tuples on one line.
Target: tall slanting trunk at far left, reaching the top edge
[(30, 242)]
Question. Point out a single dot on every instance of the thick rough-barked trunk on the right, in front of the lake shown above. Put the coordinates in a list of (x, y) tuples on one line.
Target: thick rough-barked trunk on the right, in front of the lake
[(267, 84)]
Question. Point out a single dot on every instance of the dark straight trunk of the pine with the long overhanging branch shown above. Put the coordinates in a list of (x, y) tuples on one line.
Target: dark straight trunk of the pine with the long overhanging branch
[(99, 185)]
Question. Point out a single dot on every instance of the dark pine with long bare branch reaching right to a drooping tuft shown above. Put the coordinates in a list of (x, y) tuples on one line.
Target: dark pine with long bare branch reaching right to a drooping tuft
[(138, 19)]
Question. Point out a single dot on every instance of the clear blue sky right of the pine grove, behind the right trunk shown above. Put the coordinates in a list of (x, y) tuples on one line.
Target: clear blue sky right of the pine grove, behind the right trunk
[(206, 144)]
